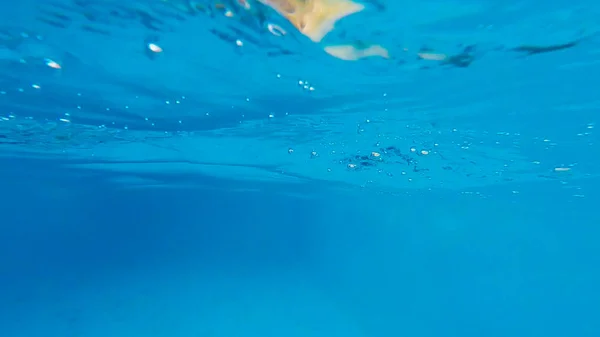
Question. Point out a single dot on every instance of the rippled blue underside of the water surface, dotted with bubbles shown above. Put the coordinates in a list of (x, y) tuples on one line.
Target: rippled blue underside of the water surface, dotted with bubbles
[(465, 96)]
